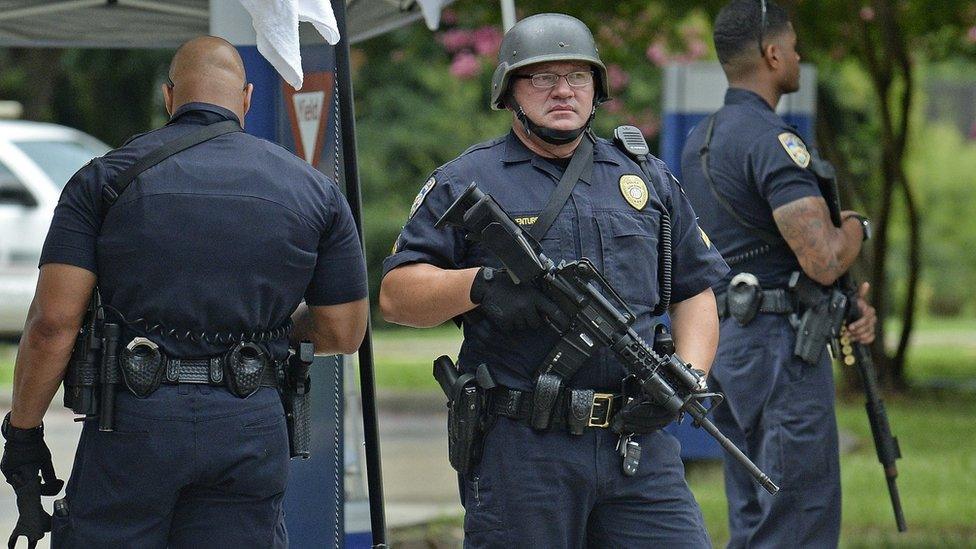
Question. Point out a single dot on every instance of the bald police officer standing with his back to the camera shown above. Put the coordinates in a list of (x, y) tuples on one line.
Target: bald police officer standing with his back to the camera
[(212, 249)]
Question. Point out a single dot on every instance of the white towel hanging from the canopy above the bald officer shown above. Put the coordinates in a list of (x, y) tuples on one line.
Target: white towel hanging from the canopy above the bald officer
[(276, 25)]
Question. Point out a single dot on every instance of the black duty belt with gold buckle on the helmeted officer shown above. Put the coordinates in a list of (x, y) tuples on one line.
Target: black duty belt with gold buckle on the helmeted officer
[(575, 408)]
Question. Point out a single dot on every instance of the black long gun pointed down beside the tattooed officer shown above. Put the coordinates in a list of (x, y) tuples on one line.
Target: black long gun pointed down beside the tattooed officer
[(855, 354)]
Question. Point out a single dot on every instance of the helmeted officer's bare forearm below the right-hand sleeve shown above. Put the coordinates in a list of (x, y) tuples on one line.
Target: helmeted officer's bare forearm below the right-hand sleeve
[(694, 326)]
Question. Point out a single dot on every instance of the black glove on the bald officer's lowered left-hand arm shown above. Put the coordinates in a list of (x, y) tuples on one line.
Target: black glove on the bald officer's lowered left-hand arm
[(26, 460)]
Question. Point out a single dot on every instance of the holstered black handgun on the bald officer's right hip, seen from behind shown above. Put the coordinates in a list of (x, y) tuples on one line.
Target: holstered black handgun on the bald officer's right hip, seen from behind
[(296, 400)]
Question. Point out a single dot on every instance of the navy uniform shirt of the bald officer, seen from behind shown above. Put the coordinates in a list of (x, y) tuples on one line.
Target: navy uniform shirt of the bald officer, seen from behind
[(226, 237)]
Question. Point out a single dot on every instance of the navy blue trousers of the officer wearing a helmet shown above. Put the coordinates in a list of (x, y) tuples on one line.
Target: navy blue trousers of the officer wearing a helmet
[(556, 490)]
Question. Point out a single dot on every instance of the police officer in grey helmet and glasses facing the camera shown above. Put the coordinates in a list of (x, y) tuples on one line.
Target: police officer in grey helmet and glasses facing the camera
[(550, 488)]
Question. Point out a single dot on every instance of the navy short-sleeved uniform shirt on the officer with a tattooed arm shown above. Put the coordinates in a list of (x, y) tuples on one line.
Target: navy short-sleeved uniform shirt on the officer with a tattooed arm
[(757, 163)]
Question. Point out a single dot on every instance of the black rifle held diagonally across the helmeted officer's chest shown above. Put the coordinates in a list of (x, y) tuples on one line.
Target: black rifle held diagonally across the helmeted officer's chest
[(599, 318)]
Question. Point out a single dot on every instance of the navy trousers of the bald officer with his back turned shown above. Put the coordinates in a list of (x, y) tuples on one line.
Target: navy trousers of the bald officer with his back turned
[(189, 466)]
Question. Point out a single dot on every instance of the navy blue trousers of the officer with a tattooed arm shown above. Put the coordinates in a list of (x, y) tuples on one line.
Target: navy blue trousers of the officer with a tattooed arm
[(779, 410)]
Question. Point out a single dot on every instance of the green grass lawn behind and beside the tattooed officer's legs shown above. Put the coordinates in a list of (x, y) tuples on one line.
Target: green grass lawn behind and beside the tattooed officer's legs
[(937, 475)]
